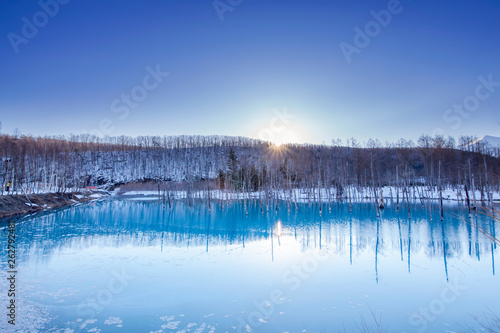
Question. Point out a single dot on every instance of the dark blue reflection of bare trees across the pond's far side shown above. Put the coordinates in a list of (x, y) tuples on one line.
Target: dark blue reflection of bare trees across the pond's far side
[(117, 223)]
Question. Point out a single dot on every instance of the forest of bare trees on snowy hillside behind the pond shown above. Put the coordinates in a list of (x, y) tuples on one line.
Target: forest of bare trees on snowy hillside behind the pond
[(239, 164)]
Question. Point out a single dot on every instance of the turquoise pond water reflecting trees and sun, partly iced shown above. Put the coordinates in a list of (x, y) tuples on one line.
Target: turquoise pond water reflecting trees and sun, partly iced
[(133, 265)]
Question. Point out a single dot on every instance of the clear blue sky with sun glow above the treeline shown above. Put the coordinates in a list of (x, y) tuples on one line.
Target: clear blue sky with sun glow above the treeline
[(338, 68)]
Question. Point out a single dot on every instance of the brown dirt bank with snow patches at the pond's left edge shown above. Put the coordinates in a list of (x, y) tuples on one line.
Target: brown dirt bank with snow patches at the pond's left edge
[(14, 205)]
